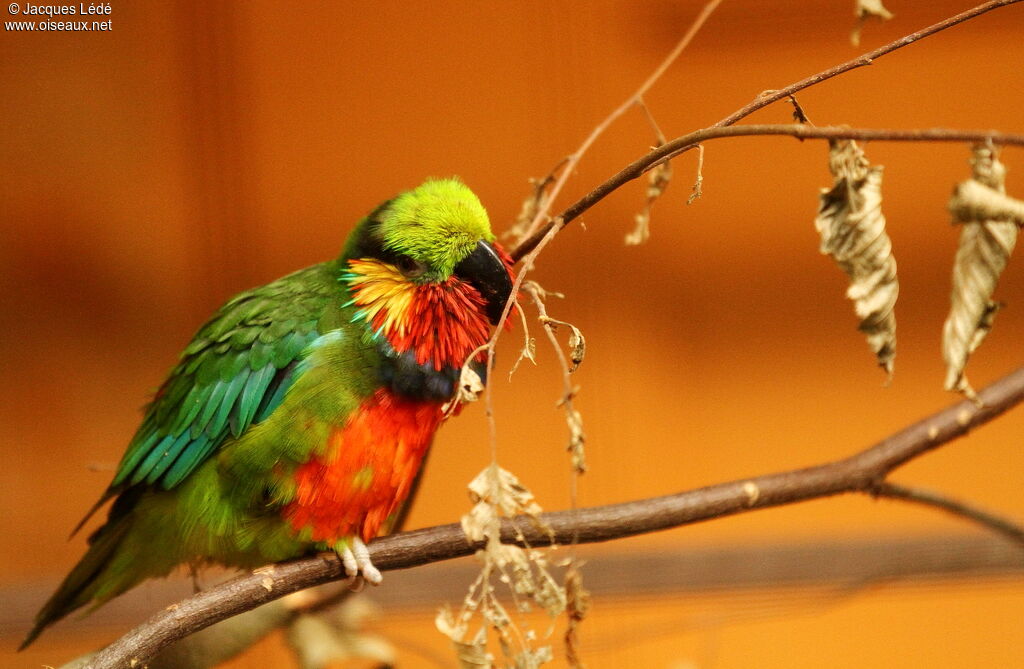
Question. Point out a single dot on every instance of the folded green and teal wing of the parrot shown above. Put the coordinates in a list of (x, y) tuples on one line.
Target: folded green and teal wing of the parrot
[(234, 374)]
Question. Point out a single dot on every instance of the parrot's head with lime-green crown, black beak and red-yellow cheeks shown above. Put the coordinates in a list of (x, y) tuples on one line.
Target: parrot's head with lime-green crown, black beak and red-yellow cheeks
[(425, 273)]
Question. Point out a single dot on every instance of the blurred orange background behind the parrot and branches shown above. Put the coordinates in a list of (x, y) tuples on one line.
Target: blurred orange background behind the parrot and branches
[(200, 149)]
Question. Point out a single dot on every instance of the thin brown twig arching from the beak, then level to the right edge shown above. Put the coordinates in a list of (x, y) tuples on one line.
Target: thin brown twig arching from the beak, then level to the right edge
[(684, 144)]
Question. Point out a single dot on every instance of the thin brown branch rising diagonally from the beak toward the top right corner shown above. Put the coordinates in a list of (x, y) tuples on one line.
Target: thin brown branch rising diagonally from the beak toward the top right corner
[(762, 101)]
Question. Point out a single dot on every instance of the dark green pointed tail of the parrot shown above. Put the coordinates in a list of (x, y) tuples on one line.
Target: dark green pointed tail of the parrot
[(92, 579)]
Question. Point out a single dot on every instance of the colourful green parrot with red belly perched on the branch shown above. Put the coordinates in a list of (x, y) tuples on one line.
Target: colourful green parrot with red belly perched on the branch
[(297, 420)]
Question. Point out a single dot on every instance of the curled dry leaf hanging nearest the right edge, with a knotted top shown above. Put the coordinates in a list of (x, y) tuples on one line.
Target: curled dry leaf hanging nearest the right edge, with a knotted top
[(987, 241)]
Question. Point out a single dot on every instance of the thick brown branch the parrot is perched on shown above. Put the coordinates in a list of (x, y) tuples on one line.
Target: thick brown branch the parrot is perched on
[(864, 473)]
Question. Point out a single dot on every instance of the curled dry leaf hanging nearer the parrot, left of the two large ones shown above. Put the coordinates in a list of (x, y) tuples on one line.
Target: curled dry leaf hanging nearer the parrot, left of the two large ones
[(854, 232)]
